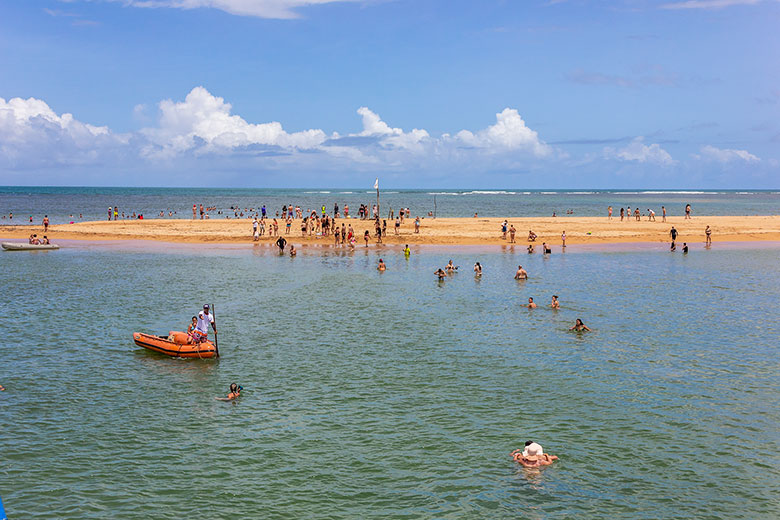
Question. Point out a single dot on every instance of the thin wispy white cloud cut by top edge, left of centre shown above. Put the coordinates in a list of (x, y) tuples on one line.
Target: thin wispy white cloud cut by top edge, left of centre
[(280, 9)]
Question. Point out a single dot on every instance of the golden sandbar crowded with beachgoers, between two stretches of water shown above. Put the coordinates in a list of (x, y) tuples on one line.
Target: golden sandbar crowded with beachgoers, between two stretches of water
[(442, 231)]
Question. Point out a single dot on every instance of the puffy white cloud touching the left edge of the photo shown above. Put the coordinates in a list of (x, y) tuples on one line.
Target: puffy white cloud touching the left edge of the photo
[(31, 133)]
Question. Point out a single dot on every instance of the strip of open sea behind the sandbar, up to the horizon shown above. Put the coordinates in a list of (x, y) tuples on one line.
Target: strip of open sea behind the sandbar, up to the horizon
[(74, 204)]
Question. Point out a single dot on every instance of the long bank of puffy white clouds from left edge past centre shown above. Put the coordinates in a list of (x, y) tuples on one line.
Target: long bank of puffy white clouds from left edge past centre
[(203, 124)]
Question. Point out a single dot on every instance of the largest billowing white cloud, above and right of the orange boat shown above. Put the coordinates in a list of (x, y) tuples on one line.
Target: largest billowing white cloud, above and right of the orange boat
[(203, 123)]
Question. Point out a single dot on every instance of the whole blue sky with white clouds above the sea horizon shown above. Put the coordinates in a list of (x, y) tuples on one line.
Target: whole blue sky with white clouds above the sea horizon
[(530, 94)]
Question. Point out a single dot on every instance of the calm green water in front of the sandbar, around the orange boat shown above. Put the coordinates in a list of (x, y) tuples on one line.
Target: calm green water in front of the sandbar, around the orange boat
[(391, 395)]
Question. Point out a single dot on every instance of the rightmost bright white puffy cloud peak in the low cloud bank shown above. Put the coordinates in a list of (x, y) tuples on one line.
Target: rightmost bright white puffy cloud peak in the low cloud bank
[(509, 133)]
